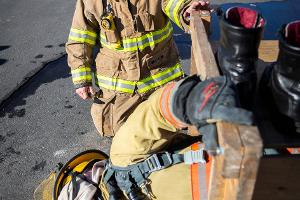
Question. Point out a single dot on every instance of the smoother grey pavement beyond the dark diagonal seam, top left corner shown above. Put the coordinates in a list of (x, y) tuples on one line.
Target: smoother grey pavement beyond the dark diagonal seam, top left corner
[(32, 33)]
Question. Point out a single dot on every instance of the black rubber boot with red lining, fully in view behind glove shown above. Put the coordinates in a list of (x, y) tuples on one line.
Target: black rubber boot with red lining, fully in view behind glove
[(241, 32)]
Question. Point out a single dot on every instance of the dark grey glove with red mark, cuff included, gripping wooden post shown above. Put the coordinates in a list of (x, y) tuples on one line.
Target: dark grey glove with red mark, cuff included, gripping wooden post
[(202, 103)]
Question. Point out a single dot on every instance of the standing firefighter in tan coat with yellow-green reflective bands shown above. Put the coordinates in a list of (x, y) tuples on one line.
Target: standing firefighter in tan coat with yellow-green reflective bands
[(137, 53)]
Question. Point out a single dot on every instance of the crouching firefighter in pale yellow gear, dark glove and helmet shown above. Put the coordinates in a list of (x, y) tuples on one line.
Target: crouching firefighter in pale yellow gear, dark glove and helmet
[(149, 158)]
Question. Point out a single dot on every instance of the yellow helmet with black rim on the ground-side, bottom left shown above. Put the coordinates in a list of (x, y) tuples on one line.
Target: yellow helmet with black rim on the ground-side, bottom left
[(78, 163)]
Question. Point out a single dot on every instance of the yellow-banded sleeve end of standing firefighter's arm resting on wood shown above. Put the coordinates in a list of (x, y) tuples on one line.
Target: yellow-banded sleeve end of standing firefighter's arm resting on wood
[(174, 9)]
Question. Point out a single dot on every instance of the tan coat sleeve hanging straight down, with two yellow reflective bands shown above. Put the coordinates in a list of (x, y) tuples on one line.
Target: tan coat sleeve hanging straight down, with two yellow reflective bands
[(82, 38)]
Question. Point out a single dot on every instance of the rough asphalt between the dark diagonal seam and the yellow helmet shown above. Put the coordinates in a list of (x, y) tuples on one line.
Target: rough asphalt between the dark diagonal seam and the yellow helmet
[(44, 124)]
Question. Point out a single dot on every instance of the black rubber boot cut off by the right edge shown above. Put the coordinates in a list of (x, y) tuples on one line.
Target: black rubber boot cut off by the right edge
[(285, 76)]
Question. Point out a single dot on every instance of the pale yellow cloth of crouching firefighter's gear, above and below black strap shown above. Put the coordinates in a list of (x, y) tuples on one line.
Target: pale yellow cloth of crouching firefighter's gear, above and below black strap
[(146, 132)]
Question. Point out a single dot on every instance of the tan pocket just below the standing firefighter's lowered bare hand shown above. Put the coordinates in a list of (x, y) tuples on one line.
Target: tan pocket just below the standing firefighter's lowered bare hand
[(102, 112)]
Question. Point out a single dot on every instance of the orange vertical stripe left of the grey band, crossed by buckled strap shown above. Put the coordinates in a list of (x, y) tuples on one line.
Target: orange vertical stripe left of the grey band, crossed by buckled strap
[(195, 176)]
